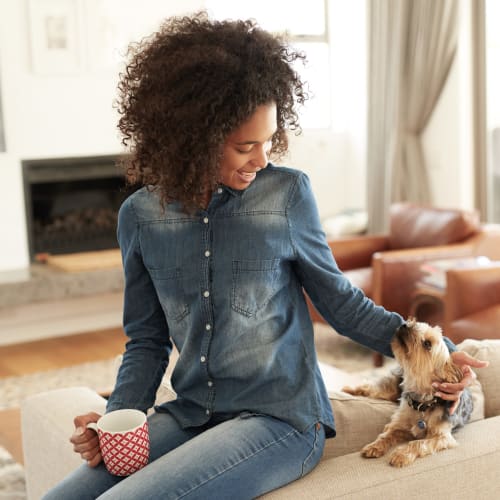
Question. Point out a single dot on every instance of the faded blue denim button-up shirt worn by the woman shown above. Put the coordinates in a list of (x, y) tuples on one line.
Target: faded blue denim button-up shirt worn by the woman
[(225, 285)]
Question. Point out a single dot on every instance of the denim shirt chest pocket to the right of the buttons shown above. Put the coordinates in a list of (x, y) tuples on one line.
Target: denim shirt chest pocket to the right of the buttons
[(254, 283)]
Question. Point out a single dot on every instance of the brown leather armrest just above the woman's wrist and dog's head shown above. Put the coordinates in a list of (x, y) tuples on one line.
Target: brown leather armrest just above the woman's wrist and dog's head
[(396, 272)]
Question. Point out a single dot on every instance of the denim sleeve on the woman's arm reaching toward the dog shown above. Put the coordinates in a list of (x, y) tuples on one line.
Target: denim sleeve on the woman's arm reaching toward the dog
[(343, 306)]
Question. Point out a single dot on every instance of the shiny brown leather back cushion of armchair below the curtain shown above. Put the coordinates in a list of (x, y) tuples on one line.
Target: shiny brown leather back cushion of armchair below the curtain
[(415, 226)]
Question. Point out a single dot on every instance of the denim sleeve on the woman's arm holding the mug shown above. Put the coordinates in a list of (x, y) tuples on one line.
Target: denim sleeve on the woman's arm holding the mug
[(148, 349)]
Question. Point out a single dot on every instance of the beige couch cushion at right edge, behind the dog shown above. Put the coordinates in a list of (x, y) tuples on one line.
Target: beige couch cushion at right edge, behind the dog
[(488, 377)]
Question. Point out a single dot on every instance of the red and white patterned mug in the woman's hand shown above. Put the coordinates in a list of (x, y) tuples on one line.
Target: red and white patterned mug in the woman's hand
[(124, 441)]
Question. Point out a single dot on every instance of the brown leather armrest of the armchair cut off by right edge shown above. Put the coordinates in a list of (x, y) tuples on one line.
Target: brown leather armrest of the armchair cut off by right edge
[(471, 290)]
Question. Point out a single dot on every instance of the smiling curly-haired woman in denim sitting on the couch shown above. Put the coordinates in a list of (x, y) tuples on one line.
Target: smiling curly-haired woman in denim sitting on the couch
[(217, 249)]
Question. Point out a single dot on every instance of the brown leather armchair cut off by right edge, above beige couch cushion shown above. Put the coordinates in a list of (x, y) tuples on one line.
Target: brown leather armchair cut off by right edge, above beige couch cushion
[(472, 303)]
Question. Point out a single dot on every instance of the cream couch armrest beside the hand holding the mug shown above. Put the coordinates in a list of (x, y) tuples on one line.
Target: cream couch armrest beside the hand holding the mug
[(46, 426)]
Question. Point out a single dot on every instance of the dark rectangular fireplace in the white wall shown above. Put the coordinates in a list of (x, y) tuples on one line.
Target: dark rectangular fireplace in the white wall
[(72, 203)]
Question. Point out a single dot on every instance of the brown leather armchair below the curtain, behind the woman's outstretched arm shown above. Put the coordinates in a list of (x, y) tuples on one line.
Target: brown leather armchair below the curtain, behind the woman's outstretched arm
[(387, 267)]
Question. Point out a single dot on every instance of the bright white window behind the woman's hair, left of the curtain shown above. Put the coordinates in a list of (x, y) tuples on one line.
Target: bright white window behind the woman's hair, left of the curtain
[(332, 33)]
